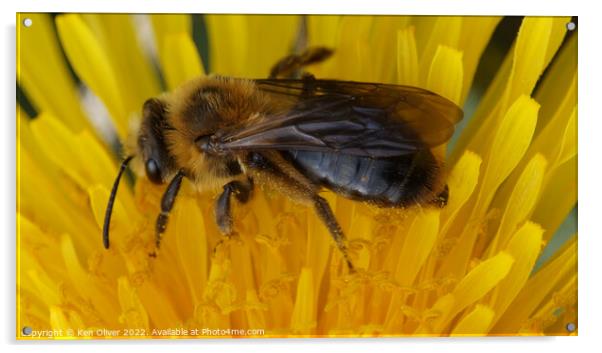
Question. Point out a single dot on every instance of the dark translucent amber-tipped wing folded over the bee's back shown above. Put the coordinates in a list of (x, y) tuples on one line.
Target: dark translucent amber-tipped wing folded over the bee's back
[(366, 119)]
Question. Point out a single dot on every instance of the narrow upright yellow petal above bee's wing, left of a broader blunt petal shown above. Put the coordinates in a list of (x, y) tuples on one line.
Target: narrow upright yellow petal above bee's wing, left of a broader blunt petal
[(407, 57)]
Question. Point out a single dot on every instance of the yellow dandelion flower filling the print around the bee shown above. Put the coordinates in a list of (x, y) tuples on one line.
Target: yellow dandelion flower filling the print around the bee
[(473, 267)]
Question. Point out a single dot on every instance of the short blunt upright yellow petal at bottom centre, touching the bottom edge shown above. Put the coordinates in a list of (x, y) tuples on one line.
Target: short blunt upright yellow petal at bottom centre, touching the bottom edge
[(303, 320)]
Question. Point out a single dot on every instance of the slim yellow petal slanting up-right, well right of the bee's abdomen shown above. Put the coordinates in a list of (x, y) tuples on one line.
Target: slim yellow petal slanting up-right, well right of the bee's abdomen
[(522, 200)]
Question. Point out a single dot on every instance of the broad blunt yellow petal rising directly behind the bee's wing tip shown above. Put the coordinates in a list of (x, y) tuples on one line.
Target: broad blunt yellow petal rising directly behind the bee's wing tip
[(446, 73)]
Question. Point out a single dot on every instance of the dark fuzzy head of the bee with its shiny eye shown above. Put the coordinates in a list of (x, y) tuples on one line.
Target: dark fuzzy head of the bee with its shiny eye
[(151, 143)]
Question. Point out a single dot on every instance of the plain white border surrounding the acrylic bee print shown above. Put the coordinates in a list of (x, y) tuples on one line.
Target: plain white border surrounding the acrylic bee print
[(590, 199)]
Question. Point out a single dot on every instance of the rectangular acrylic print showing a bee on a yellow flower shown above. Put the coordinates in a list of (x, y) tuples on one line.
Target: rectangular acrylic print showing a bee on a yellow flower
[(277, 239)]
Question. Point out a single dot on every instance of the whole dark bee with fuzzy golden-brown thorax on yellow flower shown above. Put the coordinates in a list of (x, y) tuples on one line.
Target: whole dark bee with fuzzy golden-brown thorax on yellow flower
[(369, 142)]
